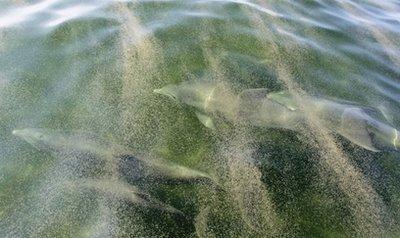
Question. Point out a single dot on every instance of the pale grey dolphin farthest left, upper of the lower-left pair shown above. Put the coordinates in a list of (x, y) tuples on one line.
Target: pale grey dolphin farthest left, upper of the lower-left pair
[(86, 146)]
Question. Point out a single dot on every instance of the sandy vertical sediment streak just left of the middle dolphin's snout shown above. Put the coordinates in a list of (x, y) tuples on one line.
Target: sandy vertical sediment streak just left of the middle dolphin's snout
[(140, 57)]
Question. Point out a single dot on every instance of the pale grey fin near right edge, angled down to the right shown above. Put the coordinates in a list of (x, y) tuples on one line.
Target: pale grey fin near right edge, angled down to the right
[(354, 128)]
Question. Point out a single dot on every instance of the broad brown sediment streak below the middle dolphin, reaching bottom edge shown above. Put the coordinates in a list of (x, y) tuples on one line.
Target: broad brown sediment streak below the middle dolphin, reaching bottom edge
[(250, 208)]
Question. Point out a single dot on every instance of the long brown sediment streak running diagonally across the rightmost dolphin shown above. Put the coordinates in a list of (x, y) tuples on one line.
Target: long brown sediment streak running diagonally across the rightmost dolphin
[(367, 207)]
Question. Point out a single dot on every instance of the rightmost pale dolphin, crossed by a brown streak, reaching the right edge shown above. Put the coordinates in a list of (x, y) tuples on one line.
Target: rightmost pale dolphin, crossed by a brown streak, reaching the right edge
[(353, 122)]
